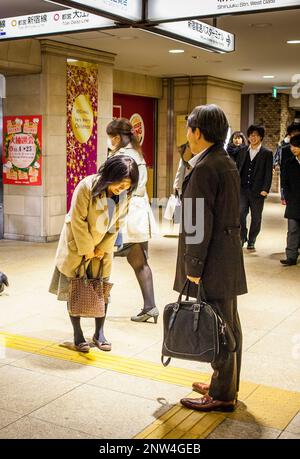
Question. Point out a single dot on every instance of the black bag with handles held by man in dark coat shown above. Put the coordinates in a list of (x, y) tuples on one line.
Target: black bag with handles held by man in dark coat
[(193, 330)]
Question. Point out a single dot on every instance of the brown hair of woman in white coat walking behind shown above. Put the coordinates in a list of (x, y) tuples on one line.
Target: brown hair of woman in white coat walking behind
[(123, 128)]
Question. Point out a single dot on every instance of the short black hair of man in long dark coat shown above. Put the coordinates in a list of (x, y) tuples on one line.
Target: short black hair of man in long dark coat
[(211, 121)]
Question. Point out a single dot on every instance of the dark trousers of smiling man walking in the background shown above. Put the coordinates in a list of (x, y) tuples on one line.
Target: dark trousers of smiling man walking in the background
[(254, 203)]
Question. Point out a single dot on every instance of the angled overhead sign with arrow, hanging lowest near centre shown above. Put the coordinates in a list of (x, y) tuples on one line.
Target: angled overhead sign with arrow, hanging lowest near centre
[(198, 34)]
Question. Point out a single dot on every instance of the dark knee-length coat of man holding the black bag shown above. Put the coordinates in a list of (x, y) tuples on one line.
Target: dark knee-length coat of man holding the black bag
[(218, 259)]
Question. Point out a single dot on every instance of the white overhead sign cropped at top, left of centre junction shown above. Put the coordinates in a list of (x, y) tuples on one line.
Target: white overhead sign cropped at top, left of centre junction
[(122, 9)]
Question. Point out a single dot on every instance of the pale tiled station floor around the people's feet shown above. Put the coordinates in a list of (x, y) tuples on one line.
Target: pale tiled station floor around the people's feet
[(43, 396)]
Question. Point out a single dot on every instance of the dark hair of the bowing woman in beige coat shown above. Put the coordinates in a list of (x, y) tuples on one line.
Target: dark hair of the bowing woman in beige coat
[(115, 169)]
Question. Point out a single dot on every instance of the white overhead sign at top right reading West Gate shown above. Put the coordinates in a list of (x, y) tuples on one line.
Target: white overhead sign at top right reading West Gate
[(159, 10)]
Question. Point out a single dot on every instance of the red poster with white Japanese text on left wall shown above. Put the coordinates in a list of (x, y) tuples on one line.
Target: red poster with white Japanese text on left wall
[(22, 150)]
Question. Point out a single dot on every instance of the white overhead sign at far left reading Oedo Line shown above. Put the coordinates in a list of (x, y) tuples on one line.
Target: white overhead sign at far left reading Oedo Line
[(51, 23)]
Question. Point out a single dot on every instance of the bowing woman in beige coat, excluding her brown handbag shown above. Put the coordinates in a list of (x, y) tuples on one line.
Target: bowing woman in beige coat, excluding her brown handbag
[(99, 206)]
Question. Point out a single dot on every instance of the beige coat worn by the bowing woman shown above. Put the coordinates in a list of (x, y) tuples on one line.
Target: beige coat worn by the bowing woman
[(87, 227)]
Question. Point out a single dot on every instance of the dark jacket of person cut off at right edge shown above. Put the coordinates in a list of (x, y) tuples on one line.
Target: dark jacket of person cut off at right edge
[(290, 182)]
